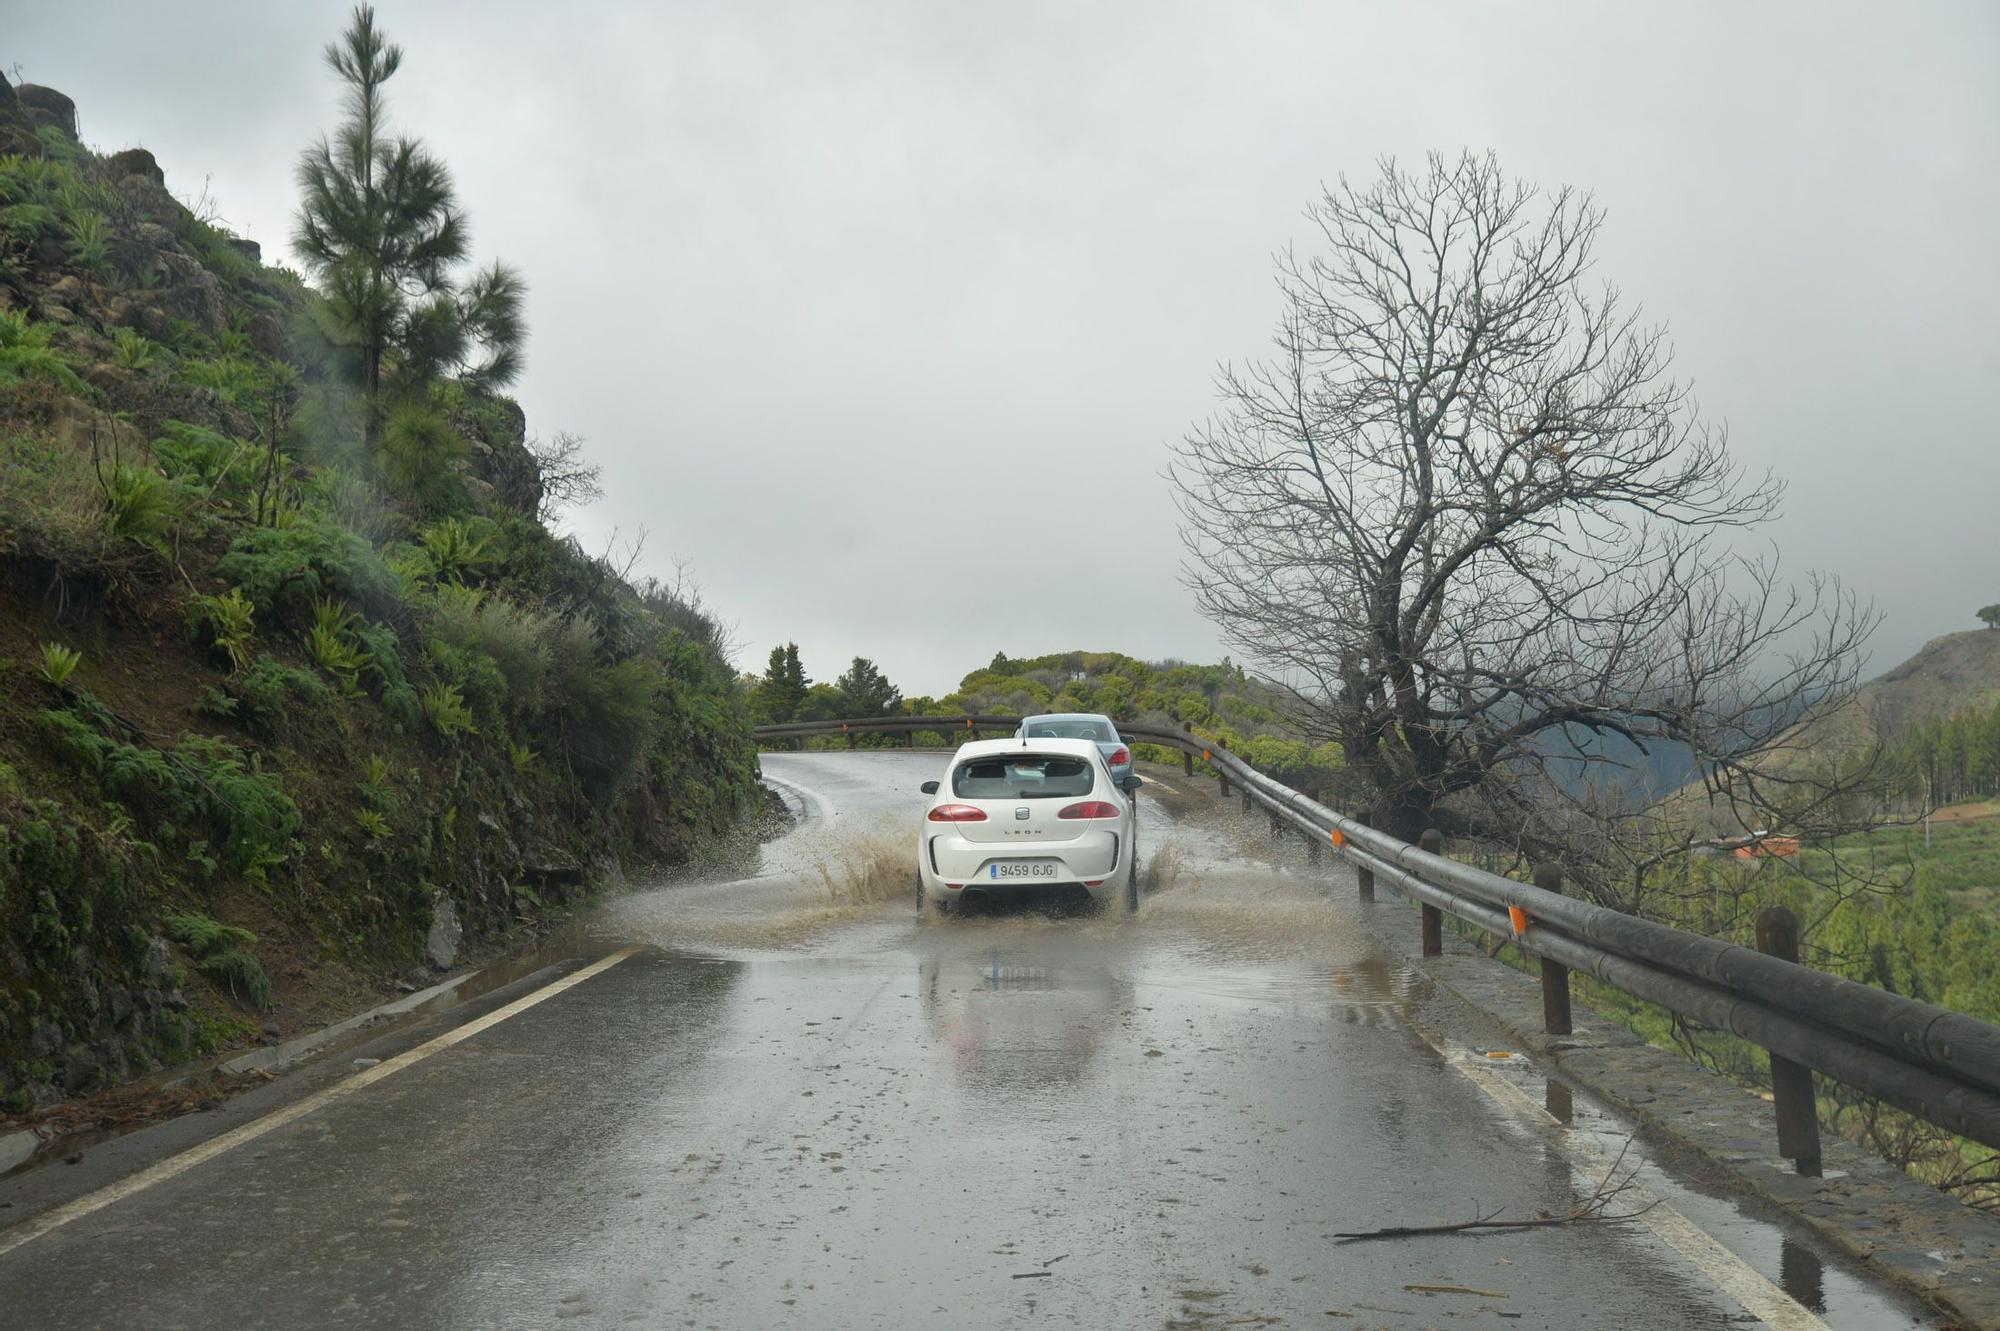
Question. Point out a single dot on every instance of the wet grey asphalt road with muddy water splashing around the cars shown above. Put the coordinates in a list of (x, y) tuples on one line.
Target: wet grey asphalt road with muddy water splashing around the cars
[(793, 1108)]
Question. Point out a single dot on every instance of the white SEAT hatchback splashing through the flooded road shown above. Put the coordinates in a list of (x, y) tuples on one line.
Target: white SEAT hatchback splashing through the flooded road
[(1025, 814)]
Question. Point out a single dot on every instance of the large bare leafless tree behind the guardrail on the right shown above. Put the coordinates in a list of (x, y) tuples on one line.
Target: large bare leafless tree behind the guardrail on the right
[(1477, 527)]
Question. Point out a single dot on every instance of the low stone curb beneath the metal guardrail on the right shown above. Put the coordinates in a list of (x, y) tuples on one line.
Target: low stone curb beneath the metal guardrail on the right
[(1911, 1234)]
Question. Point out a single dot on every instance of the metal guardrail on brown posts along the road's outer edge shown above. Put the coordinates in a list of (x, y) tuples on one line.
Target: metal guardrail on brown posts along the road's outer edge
[(1931, 1062)]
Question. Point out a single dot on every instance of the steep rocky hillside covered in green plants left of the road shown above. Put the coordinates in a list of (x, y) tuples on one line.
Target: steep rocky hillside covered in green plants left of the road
[(287, 706)]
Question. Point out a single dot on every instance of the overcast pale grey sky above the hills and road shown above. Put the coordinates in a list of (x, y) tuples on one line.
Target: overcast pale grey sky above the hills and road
[(829, 287)]
